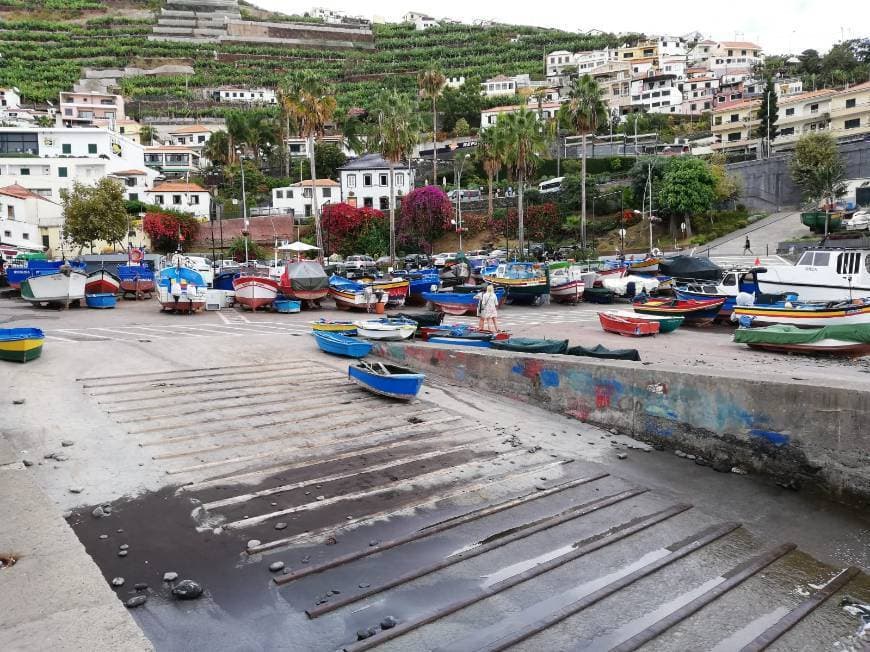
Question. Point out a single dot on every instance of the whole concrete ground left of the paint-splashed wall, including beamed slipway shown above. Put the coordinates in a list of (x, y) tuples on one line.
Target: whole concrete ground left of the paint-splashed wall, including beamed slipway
[(465, 521)]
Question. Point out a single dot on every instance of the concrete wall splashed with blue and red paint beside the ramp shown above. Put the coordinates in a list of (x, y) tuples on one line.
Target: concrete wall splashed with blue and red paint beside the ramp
[(786, 429)]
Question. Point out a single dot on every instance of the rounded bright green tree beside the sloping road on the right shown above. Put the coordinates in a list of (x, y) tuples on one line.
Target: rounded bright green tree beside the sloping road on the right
[(687, 188)]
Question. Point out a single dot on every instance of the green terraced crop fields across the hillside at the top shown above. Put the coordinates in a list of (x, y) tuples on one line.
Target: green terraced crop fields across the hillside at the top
[(43, 57)]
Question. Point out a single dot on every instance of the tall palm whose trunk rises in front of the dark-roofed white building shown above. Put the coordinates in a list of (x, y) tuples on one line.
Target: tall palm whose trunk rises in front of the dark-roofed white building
[(395, 131)]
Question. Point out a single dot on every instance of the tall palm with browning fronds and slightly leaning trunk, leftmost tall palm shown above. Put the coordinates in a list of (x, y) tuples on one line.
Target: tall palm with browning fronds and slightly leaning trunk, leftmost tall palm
[(311, 106)]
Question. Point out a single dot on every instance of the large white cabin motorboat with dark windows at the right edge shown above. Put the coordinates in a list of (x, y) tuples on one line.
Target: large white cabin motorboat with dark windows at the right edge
[(823, 274)]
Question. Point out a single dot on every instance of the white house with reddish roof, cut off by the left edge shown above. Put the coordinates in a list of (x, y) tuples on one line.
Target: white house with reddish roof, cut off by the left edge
[(25, 218)]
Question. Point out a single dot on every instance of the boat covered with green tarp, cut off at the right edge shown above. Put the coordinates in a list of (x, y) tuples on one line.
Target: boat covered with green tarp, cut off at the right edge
[(846, 339)]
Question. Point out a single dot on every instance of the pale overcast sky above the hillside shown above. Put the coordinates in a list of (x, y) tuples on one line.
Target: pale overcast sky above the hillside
[(779, 26)]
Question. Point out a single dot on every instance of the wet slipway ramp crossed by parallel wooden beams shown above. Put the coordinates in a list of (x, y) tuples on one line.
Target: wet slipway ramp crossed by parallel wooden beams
[(413, 527)]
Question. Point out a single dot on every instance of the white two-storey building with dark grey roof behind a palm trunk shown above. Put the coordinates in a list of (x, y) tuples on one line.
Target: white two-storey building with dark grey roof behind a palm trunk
[(365, 182)]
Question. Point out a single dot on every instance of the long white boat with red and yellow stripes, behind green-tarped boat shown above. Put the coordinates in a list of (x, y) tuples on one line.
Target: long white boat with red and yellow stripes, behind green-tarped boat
[(802, 313)]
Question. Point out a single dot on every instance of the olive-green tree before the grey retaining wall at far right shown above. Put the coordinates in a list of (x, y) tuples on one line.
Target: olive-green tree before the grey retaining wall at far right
[(817, 168)]
